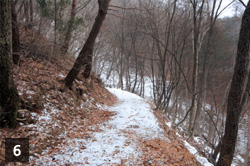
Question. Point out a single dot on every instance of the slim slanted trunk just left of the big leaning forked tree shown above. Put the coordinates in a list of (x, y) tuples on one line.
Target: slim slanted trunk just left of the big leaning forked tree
[(67, 38)]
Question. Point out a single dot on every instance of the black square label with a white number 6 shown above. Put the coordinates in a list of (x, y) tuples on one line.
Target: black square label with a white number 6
[(16, 149)]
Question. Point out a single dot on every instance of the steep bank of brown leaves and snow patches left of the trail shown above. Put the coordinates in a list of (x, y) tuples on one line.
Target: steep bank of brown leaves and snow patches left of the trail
[(51, 112)]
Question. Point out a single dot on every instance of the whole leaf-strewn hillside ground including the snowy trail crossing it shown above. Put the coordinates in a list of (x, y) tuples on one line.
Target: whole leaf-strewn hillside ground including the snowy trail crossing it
[(87, 124)]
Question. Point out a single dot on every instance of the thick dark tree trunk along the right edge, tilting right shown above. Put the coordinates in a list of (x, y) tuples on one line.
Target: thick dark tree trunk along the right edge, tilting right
[(238, 87)]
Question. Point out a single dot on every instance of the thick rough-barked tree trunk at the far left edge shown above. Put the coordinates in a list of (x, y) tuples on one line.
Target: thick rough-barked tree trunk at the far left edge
[(9, 99)]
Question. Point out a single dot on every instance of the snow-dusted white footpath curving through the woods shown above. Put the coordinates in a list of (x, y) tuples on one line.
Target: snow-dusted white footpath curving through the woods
[(118, 141)]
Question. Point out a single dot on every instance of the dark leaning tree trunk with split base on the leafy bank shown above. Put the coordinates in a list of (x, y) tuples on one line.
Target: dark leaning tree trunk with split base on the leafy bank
[(84, 59)]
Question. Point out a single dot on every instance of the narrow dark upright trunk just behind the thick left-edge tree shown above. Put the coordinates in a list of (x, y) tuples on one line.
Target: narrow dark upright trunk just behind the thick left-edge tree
[(15, 35)]
